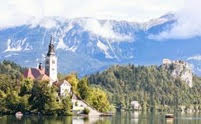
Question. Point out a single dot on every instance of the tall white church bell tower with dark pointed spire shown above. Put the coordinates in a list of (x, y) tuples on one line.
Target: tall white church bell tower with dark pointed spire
[(51, 63)]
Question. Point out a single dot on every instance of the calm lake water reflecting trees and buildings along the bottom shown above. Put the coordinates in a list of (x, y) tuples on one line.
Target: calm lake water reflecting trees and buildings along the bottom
[(118, 118)]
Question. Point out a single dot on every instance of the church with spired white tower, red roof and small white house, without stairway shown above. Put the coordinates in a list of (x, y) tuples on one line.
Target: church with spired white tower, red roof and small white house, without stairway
[(49, 73)]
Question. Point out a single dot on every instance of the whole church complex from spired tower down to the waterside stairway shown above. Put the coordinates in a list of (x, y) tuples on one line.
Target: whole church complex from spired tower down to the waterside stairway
[(49, 73)]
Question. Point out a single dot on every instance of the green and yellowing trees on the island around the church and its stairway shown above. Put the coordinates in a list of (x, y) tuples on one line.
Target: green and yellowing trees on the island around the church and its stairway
[(32, 96)]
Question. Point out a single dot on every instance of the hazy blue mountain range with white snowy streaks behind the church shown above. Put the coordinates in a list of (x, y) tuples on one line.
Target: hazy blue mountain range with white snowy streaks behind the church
[(87, 45)]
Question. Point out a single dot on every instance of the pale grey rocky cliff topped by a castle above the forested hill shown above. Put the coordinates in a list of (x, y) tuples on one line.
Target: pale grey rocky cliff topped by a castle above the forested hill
[(179, 69)]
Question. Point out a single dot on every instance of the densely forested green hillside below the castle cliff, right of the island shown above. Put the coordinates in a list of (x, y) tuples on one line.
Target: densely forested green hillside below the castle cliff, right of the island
[(150, 85)]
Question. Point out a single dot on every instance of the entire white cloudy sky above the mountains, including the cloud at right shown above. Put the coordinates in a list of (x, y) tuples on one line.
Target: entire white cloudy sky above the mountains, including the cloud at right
[(18, 12)]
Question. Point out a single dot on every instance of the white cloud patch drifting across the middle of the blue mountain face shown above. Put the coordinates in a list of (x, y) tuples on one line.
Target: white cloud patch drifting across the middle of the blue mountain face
[(104, 30)]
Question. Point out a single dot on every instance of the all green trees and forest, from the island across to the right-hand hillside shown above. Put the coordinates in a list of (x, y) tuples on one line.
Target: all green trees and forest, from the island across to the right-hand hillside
[(152, 86)]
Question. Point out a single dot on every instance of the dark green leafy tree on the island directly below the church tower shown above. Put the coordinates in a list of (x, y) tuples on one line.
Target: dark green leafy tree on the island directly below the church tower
[(44, 98)]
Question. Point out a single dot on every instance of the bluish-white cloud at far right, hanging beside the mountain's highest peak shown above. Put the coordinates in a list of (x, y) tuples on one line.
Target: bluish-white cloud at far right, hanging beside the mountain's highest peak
[(188, 23)]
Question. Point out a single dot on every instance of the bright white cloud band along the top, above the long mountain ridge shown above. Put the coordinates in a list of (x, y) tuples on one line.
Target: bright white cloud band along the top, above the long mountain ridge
[(18, 12)]
